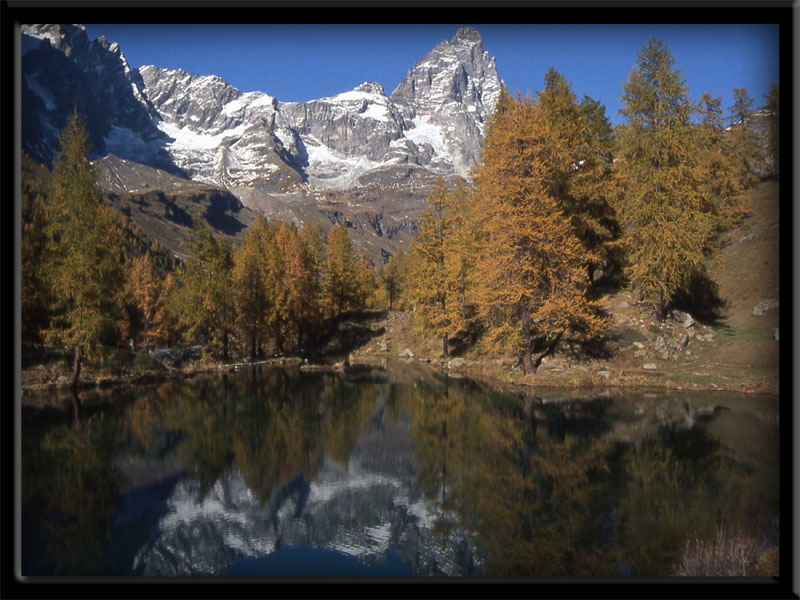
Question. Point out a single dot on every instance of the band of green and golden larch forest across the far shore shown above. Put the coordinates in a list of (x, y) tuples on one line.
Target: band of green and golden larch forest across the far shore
[(559, 204)]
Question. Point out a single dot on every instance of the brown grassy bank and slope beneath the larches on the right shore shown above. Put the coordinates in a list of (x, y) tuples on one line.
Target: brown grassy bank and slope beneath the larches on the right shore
[(738, 351)]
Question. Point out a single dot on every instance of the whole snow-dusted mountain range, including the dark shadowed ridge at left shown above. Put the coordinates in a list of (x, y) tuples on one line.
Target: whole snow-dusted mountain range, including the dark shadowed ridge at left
[(279, 158)]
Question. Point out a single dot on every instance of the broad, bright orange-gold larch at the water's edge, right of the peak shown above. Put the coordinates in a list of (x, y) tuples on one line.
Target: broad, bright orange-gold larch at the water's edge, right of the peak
[(530, 278)]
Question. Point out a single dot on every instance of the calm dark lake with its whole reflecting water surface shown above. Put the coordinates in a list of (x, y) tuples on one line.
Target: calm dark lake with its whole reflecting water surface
[(398, 472)]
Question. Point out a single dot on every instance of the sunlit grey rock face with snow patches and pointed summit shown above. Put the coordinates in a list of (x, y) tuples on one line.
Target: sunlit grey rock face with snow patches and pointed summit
[(434, 119)]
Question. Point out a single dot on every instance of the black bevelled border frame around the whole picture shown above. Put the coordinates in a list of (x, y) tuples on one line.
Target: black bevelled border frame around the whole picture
[(783, 12)]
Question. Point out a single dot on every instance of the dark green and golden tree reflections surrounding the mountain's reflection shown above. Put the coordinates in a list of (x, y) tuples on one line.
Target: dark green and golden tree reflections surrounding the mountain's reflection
[(536, 487)]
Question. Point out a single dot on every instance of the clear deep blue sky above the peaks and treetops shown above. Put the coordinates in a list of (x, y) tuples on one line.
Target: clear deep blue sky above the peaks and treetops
[(304, 62)]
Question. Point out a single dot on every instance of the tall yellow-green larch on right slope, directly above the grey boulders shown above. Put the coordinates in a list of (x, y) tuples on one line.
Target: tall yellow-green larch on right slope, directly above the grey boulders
[(665, 209)]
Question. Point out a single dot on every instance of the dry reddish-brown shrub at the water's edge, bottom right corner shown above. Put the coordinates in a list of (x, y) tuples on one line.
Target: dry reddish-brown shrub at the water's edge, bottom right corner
[(730, 553)]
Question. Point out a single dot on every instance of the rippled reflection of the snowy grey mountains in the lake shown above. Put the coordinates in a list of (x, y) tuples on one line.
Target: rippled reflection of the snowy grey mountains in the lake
[(360, 510)]
